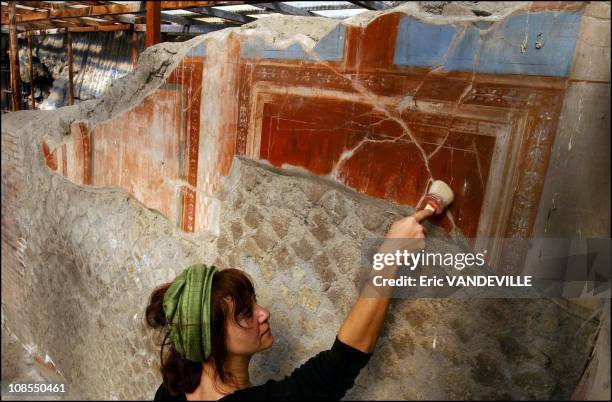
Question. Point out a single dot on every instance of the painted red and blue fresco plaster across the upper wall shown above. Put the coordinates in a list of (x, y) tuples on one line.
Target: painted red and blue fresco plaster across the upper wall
[(383, 108)]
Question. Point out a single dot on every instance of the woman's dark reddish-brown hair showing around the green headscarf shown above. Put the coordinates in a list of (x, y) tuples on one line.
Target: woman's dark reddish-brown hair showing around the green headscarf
[(180, 375)]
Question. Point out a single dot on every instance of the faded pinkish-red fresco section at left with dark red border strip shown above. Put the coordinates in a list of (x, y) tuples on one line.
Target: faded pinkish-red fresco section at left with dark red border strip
[(141, 150)]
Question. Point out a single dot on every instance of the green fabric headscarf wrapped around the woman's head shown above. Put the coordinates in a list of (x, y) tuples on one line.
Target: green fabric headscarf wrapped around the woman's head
[(187, 309)]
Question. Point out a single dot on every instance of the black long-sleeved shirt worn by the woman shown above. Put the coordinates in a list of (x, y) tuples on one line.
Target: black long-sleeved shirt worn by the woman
[(327, 376)]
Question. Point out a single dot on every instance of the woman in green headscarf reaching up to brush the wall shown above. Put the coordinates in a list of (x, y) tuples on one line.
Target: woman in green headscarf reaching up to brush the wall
[(213, 326)]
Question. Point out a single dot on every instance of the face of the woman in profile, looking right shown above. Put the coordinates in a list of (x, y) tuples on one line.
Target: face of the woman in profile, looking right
[(252, 335)]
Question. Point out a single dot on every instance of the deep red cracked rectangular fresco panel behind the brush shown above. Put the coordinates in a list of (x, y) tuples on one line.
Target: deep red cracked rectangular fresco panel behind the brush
[(374, 154)]
